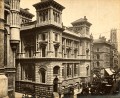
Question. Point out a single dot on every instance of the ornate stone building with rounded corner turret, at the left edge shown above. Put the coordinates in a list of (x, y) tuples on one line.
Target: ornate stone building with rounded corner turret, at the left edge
[(11, 18)]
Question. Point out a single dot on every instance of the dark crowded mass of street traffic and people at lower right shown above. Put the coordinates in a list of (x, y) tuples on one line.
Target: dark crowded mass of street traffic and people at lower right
[(100, 87)]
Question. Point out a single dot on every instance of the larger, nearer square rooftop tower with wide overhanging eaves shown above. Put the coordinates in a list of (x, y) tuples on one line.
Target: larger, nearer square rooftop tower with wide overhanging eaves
[(48, 12)]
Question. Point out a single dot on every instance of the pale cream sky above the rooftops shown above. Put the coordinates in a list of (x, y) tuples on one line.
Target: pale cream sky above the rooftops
[(103, 14)]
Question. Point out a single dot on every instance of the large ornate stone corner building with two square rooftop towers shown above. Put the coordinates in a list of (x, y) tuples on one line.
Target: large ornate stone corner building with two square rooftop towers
[(52, 58)]
